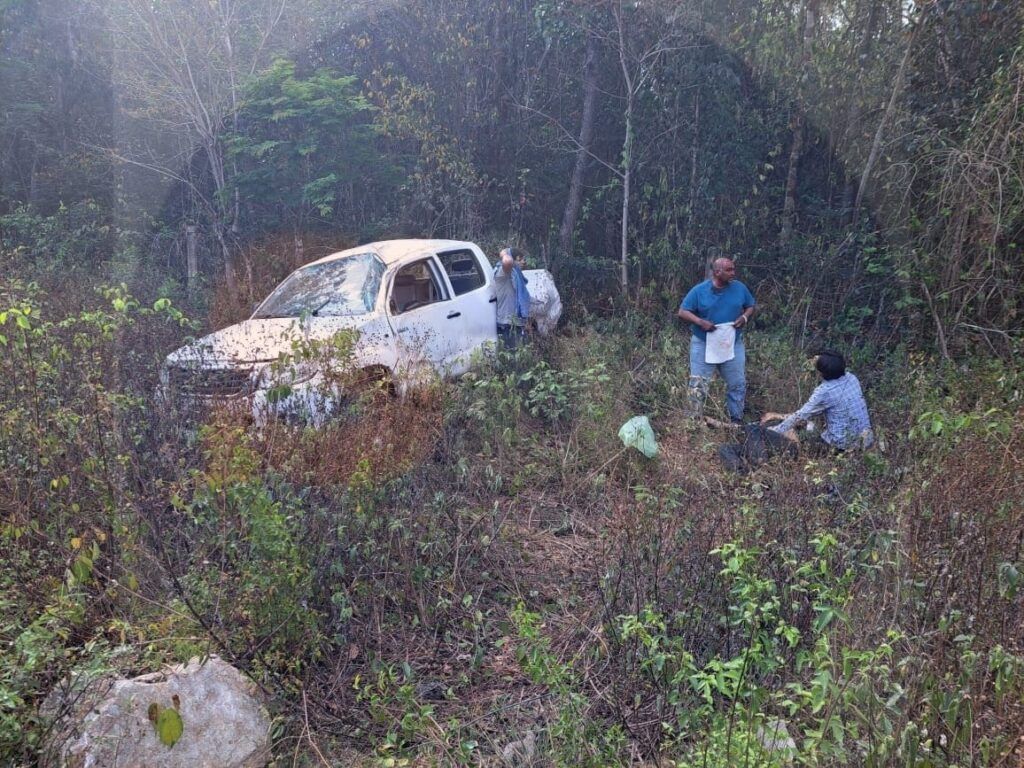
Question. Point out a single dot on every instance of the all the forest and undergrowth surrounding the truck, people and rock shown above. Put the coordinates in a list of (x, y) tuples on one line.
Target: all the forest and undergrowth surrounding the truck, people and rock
[(482, 569)]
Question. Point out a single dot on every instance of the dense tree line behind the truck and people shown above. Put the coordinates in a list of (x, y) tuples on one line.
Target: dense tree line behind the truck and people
[(871, 144)]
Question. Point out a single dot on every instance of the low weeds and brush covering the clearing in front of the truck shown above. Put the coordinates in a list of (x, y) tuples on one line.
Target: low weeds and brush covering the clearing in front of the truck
[(509, 569)]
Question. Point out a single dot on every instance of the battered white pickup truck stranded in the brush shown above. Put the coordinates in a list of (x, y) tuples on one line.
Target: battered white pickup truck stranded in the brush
[(416, 310)]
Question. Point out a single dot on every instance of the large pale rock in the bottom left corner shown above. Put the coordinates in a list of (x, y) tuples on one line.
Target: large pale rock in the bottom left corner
[(225, 723)]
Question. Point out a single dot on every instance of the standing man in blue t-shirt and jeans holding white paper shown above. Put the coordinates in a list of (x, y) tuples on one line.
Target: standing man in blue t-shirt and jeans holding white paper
[(721, 301)]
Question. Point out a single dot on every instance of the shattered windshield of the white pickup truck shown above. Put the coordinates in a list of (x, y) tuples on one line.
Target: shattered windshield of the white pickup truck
[(346, 287)]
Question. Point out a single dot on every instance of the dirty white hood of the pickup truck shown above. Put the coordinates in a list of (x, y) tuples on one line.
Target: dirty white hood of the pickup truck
[(260, 340)]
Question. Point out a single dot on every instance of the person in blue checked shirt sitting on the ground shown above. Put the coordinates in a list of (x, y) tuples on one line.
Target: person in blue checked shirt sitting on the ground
[(841, 401)]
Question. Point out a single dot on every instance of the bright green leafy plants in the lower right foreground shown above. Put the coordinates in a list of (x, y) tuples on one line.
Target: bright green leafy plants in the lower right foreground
[(837, 702)]
